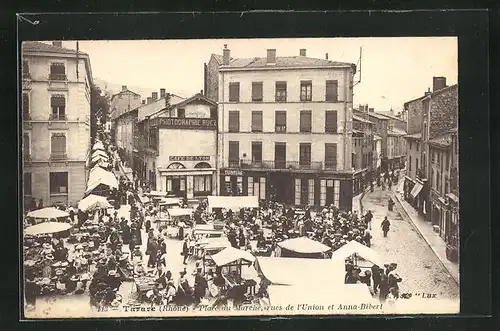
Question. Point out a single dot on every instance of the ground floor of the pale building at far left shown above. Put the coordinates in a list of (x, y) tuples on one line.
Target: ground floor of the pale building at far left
[(59, 183)]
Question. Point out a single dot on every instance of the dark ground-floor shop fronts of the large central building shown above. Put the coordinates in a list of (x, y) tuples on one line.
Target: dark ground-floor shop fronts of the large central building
[(290, 188)]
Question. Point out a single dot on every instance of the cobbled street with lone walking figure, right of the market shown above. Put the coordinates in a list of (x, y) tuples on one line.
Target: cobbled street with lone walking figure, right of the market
[(421, 270)]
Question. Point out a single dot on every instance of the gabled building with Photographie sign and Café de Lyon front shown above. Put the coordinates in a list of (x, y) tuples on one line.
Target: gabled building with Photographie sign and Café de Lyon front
[(182, 147)]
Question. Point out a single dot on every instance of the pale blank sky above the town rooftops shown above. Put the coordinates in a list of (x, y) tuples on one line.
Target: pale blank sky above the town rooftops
[(394, 70)]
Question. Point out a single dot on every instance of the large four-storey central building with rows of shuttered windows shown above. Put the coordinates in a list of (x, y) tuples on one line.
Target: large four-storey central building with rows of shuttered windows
[(285, 129)]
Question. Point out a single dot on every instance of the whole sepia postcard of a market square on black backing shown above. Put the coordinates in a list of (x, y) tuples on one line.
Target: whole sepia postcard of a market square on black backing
[(240, 177)]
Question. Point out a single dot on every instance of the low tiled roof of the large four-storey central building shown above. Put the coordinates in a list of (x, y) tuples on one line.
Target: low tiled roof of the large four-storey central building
[(284, 61)]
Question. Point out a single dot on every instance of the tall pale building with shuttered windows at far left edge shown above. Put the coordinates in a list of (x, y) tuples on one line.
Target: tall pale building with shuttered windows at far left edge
[(56, 92)]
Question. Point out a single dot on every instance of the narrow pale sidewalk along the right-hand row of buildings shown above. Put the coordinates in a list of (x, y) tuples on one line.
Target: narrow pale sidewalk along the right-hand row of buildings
[(435, 242)]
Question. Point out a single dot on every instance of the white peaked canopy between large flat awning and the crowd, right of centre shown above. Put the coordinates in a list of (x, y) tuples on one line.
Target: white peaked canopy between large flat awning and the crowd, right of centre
[(302, 247)]
